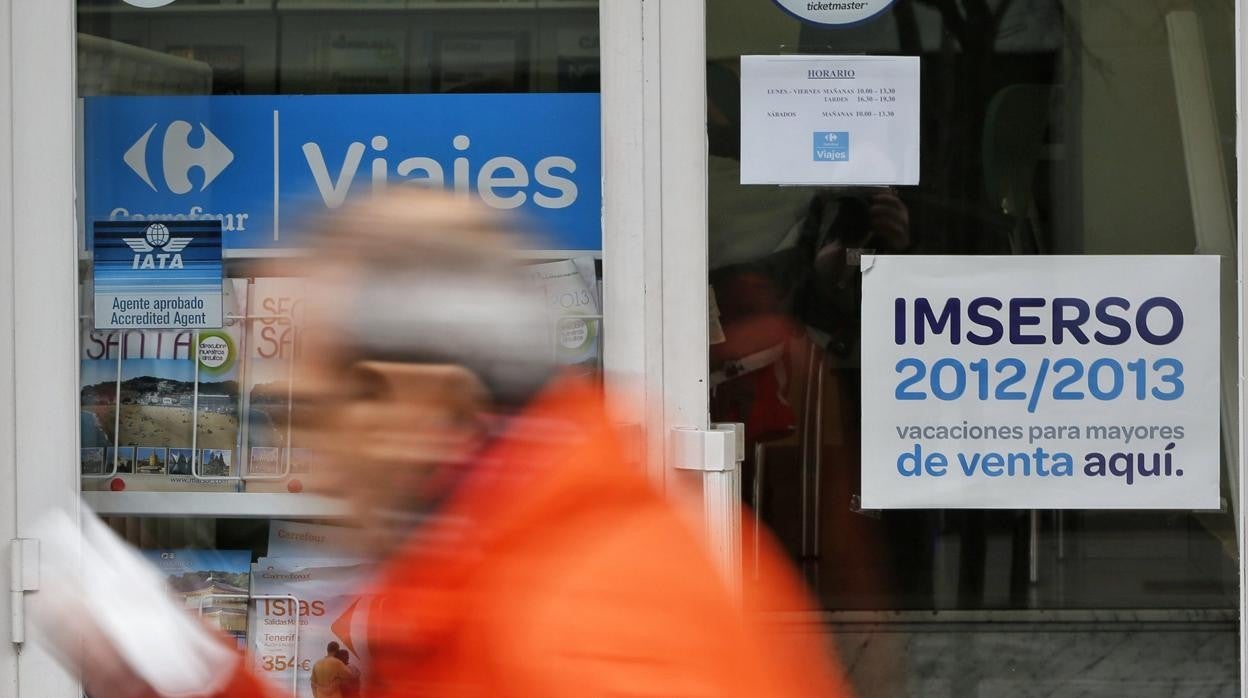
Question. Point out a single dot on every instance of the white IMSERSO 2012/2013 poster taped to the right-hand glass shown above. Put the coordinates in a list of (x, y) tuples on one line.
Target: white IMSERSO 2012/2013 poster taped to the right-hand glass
[(1040, 383)]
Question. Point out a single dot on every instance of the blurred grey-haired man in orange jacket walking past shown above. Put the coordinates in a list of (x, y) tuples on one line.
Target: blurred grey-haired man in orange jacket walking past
[(524, 558)]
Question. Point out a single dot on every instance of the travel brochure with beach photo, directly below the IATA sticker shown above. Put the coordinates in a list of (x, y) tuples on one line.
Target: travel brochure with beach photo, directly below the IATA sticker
[(160, 409)]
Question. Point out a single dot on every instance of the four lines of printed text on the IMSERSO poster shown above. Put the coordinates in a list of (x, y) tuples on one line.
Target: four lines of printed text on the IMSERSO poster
[(1031, 383)]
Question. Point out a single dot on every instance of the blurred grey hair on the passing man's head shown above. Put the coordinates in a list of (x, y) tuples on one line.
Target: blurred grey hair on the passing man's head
[(437, 283)]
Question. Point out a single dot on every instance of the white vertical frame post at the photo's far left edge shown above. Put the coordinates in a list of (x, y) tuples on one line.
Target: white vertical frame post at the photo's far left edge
[(38, 299)]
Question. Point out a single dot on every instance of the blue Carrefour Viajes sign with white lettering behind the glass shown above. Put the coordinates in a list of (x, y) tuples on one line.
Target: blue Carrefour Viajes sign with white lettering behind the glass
[(263, 164)]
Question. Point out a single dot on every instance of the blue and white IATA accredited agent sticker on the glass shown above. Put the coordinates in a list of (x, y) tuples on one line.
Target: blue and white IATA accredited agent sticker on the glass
[(159, 275)]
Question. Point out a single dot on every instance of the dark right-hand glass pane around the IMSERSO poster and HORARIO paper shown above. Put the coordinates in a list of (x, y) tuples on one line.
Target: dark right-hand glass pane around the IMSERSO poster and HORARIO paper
[(1045, 128)]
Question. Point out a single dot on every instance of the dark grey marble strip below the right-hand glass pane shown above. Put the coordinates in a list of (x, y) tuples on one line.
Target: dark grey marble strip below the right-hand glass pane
[(1049, 660)]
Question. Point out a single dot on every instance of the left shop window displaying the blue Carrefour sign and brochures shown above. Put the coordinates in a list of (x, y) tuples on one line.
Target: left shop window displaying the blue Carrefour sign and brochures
[(250, 120)]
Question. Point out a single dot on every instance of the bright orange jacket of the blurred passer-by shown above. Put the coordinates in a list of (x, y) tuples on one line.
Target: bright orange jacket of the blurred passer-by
[(573, 579)]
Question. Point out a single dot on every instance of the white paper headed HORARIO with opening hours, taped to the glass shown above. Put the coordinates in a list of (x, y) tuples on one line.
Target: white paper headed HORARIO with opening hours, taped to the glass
[(831, 120)]
